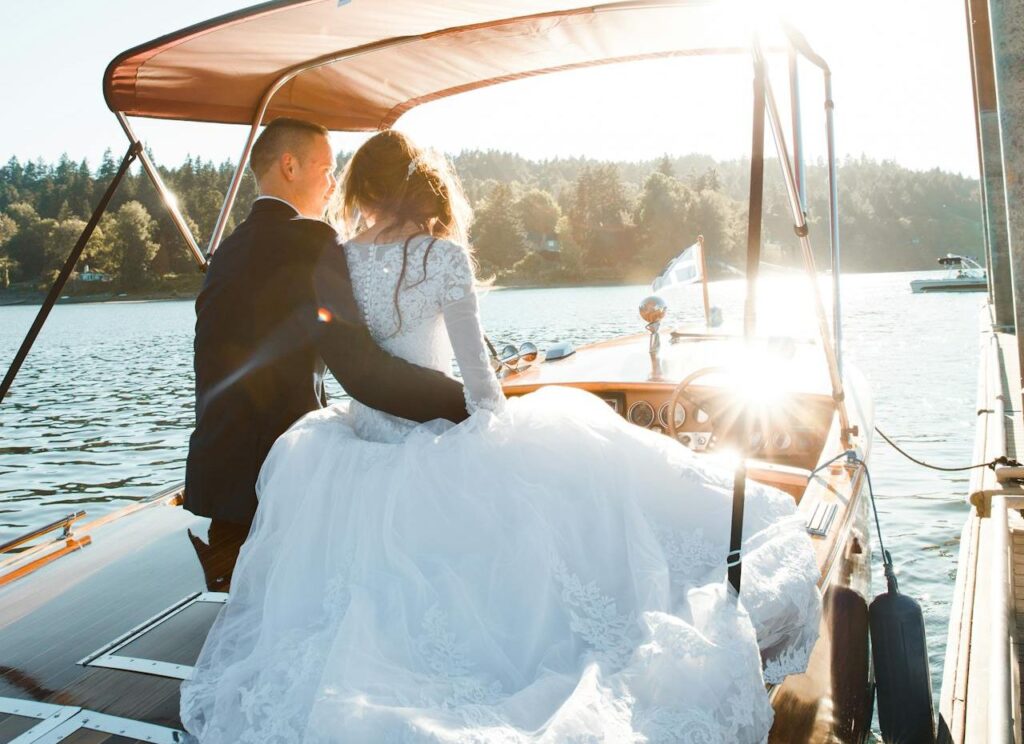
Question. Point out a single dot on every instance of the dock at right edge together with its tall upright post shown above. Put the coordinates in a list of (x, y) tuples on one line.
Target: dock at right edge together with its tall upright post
[(982, 698)]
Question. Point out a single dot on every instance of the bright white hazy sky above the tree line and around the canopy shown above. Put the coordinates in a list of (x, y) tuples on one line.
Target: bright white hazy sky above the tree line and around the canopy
[(902, 78)]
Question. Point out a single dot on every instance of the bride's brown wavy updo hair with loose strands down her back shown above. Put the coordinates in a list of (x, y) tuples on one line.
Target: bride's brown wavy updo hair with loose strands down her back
[(403, 184)]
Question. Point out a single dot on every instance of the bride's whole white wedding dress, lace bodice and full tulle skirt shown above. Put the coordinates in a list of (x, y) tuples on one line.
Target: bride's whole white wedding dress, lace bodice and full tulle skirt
[(543, 573)]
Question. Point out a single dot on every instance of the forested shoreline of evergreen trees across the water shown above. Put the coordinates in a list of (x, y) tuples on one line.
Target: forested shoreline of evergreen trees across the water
[(564, 222)]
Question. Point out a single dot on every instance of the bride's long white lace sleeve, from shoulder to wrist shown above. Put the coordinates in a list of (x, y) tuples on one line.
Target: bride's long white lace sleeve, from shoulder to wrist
[(462, 320)]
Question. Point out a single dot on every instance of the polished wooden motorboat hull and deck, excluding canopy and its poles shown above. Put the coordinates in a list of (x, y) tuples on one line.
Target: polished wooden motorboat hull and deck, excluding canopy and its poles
[(99, 627)]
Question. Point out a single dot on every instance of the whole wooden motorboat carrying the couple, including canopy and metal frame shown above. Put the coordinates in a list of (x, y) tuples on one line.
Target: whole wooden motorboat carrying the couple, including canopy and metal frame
[(101, 622)]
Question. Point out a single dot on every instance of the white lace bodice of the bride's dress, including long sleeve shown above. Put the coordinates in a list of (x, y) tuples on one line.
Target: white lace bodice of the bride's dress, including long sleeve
[(435, 316)]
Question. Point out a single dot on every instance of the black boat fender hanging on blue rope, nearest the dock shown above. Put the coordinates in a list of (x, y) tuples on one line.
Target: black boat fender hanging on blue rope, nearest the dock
[(904, 682)]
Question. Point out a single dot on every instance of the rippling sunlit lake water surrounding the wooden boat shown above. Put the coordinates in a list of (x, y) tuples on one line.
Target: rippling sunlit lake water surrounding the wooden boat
[(101, 413)]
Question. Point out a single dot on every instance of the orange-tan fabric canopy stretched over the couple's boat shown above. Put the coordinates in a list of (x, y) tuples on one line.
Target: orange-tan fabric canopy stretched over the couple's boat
[(352, 68)]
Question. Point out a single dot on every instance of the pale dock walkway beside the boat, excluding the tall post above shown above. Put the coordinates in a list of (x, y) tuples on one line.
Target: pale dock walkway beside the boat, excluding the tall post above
[(980, 699)]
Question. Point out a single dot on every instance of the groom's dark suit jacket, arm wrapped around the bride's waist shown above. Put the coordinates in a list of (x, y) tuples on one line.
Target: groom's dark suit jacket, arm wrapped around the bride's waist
[(262, 348)]
